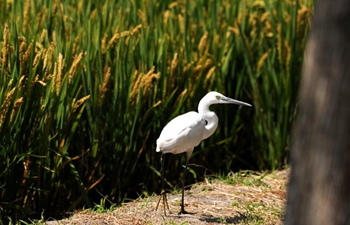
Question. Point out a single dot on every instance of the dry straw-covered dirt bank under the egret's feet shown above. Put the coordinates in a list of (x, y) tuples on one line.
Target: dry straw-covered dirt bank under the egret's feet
[(242, 198)]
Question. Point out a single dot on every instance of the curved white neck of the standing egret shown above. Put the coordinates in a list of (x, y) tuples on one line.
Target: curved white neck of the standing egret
[(210, 117)]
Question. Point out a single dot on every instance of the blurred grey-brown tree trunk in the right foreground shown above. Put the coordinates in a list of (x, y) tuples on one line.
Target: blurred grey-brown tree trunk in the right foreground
[(319, 187)]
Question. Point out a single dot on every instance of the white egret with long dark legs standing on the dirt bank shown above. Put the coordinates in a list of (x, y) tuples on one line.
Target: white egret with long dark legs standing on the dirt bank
[(186, 131)]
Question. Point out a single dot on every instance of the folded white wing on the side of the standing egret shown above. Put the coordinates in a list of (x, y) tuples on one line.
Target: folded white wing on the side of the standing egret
[(182, 133)]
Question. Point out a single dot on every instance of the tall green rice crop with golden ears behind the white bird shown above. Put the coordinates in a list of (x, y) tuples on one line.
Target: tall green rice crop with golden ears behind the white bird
[(86, 87)]
